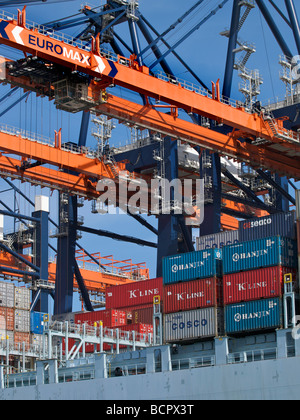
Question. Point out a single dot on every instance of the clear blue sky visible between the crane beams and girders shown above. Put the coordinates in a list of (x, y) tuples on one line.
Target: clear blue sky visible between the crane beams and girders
[(205, 52)]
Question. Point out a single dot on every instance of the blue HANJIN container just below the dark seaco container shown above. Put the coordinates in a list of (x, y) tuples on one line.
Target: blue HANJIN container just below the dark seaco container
[(267, 252)]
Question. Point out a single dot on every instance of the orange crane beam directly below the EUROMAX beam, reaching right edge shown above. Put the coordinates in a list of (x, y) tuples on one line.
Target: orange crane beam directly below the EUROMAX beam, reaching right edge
[(278, 158)]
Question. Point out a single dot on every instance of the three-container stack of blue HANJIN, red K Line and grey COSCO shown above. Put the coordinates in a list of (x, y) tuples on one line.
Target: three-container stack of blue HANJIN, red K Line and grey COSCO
[(192, 295)]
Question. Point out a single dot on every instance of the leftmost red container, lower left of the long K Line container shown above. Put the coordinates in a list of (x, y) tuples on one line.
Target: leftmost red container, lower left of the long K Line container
[(109, 318)]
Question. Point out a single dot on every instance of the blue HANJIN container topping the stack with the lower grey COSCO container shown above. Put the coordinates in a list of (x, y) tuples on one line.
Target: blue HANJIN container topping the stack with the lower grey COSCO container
[(192, 266)]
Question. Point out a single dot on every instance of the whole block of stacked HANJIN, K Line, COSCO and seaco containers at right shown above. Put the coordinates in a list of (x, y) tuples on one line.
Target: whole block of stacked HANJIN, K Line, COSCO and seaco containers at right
[(239, 274)]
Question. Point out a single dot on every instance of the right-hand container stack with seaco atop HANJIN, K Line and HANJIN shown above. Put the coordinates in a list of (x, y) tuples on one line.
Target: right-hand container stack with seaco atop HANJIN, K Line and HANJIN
[(254, 272)]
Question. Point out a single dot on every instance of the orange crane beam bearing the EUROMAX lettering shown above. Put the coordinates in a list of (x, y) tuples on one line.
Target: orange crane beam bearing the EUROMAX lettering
[(124, 72)]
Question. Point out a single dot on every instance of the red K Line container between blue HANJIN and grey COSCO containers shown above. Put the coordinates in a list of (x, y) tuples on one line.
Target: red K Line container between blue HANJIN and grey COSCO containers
[(194, 294)]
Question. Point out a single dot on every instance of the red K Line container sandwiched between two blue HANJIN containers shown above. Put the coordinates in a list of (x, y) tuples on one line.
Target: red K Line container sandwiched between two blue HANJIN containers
[(255, 284)]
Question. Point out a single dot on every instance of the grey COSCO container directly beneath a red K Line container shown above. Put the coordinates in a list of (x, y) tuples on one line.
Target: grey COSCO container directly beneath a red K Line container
[(192, 325)]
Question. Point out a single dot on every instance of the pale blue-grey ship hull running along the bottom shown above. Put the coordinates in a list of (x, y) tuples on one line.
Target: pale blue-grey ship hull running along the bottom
[(268, 380)]
